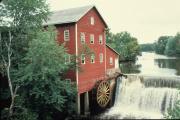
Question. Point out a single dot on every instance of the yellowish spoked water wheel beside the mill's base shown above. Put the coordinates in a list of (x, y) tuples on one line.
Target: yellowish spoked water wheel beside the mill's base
[(103, 94)]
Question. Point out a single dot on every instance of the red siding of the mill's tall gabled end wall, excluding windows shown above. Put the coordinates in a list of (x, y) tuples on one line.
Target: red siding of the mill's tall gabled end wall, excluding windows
[(91, 72)]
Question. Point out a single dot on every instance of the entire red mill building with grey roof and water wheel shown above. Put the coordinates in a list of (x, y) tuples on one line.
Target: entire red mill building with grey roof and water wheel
[(76, 28)]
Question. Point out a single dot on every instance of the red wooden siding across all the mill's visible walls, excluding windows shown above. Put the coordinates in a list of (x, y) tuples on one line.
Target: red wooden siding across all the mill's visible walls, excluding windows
[(89, 73)]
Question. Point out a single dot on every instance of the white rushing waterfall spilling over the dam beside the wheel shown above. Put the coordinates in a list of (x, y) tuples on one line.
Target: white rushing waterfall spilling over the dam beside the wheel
[(144, 97)]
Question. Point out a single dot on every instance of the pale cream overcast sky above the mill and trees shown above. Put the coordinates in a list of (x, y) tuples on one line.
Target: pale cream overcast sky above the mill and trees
[(146, 20)]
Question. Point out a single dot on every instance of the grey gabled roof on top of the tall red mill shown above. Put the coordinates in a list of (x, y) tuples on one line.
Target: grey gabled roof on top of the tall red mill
[(71, 15)]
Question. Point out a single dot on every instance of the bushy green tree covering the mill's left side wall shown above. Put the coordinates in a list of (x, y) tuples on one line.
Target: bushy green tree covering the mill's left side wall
[(40, 76)]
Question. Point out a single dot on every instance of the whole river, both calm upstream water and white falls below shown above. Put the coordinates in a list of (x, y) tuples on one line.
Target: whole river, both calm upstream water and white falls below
[(150, 89)]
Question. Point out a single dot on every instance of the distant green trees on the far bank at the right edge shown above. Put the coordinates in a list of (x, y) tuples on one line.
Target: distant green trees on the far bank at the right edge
[(165, 45)]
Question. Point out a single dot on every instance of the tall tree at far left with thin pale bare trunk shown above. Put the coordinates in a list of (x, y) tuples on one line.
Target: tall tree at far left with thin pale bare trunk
[(19, 21)]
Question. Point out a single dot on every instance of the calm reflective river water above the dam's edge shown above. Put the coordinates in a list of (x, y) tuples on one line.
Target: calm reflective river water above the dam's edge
[(153, 64)]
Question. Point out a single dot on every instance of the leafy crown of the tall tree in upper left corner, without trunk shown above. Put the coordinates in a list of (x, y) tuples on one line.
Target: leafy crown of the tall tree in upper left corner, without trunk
[(23, 17)]
